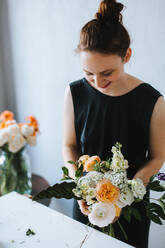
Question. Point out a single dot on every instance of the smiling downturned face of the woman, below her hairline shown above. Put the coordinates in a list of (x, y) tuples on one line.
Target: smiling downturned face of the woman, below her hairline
[(102, 71)]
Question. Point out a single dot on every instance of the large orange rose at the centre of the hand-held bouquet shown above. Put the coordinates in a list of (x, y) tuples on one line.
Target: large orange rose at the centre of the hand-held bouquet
[(106, 191)]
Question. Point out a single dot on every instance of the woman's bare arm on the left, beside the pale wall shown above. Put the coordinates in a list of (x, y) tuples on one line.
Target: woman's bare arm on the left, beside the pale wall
[(69, 146)]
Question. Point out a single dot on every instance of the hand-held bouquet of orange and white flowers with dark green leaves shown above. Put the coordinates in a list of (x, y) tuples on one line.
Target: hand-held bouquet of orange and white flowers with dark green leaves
[(107, 191)]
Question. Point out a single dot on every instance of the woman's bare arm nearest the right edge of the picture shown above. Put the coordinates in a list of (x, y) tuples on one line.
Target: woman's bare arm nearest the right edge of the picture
[(157, 143)]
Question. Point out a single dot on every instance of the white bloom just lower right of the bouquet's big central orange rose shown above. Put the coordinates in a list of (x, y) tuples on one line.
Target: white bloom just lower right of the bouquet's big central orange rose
[(126, 198)]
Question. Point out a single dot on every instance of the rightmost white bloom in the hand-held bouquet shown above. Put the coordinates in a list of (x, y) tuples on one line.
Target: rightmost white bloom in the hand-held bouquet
[(138, 188)]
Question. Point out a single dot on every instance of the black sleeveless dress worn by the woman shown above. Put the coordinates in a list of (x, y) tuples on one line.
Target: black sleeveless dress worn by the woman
[(100, 122)]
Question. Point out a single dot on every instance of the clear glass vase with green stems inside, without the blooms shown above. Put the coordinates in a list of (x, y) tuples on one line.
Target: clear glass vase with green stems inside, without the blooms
[(15, 172)]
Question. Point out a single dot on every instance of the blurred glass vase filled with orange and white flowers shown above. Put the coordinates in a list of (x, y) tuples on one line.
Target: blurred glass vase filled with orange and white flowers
[(14, 162)]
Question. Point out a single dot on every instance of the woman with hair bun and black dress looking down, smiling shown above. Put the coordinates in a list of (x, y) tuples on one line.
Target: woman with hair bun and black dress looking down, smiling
[(109, 105)]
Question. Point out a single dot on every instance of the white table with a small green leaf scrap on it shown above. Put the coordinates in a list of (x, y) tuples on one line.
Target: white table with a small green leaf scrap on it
[(53, 229)]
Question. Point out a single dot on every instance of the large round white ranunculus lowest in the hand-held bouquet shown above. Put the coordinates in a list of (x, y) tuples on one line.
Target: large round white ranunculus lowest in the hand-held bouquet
[(102, 214)]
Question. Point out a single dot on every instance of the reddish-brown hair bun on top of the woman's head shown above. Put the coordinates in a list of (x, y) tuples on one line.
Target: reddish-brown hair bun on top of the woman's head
[(110, 10)]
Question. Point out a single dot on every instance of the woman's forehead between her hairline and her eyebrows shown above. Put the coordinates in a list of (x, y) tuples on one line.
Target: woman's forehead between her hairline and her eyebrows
[(97, 62)]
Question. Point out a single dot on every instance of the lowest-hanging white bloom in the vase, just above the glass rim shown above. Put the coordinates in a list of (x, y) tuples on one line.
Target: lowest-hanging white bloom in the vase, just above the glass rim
[(16, 143)]
